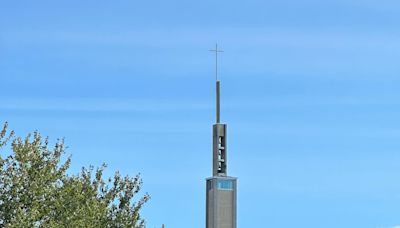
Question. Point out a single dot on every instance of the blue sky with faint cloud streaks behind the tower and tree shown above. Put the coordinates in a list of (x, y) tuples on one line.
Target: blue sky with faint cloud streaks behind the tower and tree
[(310, 92)]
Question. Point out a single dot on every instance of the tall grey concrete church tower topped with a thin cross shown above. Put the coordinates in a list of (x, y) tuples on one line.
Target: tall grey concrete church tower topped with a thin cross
[(220, 188)]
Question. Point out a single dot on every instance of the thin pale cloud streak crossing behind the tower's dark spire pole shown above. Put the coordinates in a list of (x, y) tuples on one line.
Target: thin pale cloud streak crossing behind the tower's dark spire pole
[(117, 105)]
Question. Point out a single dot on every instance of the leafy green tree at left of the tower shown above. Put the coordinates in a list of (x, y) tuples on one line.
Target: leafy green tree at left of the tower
[(36, 191)]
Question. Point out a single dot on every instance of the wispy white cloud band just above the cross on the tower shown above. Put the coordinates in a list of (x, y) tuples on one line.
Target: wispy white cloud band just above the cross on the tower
[(257, 37)]
